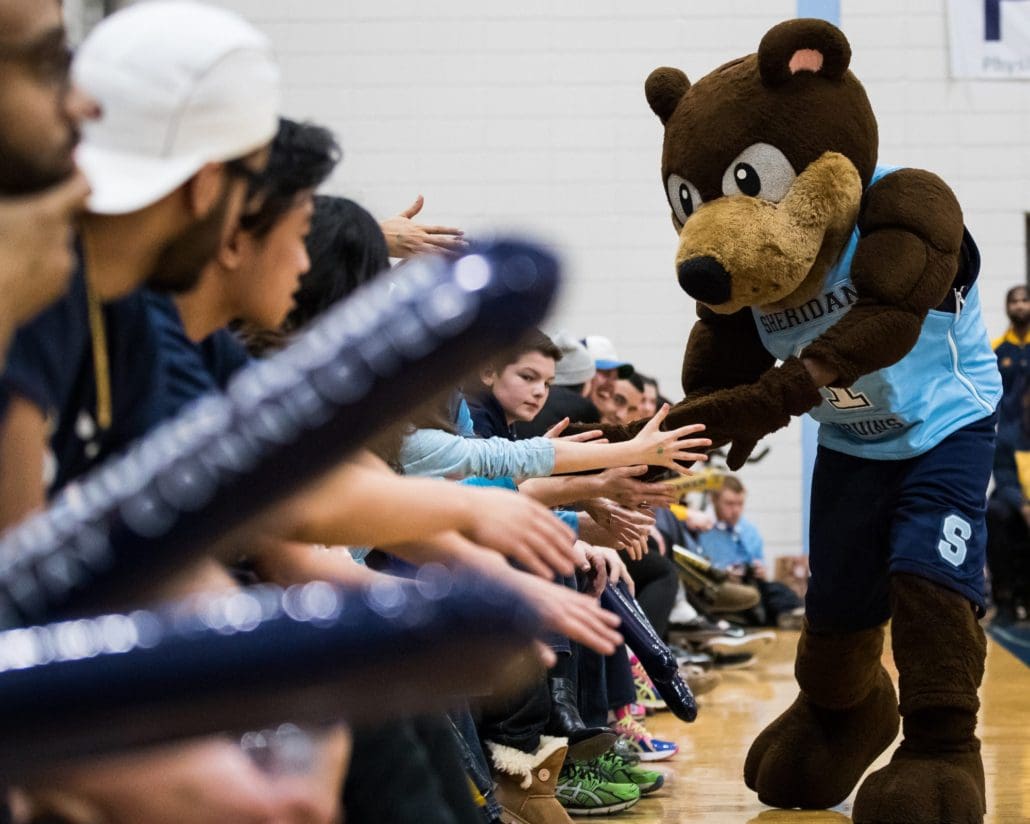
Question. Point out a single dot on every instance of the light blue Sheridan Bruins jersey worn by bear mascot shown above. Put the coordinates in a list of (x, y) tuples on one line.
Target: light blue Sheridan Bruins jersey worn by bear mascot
[(949, 380)]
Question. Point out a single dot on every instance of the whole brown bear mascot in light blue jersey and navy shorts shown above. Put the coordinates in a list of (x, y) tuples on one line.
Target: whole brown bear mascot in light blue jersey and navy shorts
[(863, 282)]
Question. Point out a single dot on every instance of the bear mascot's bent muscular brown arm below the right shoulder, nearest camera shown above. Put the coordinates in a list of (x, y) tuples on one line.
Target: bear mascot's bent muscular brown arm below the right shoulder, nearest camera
[(905, 265)]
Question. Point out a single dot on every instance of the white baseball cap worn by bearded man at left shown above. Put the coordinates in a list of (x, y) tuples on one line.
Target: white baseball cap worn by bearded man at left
[(180, 85)]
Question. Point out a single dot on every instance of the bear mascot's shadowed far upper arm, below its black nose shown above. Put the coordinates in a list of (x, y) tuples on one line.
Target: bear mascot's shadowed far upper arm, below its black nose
[(724, 352)]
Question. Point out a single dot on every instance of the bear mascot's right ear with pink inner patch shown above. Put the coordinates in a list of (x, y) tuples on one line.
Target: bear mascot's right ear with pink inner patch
[(803, 46)]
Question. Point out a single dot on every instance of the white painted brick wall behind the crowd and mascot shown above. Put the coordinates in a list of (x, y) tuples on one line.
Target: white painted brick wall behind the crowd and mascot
[(532, 116)]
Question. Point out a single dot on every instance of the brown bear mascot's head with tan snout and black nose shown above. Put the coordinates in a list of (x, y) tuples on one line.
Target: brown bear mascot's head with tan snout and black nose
[(765, 164)]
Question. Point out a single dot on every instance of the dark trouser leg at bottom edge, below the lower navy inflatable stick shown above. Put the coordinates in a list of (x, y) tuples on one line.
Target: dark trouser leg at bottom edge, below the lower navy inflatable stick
[(408, 772)]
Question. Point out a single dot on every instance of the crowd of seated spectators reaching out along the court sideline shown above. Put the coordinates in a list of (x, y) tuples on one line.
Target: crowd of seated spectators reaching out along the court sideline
[(161, 231)]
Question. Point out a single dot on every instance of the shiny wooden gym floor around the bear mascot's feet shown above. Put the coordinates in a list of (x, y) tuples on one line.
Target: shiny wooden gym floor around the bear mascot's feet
[(704, 782)]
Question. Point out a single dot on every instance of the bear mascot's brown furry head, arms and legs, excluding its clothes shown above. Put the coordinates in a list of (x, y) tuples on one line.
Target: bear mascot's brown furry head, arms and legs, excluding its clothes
[(768, 238)]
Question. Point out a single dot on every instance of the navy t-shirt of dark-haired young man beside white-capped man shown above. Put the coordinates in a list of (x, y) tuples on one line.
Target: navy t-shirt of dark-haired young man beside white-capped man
[(189, 369)]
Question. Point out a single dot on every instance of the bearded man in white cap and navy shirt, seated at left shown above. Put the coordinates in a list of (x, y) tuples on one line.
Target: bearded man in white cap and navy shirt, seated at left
[(81, 377)]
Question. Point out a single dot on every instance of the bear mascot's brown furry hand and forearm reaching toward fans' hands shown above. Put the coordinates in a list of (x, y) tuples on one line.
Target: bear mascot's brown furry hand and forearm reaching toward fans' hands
[(746, 415)]
